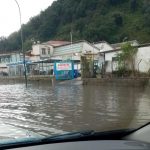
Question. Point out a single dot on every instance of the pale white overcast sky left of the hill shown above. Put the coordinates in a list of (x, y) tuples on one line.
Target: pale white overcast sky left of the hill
[(9, 13)]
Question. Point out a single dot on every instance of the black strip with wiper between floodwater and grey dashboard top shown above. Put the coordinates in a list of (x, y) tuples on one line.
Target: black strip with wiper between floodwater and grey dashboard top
[(72, 137)]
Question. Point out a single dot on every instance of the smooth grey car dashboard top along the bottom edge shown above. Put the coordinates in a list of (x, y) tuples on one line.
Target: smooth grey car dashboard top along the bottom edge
[(92, 145)]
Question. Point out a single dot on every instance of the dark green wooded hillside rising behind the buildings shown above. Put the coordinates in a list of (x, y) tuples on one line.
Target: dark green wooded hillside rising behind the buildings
[(92, 20)]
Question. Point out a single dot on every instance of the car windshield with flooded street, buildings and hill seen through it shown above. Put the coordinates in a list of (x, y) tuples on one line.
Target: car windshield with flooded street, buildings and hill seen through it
[(69, 66)]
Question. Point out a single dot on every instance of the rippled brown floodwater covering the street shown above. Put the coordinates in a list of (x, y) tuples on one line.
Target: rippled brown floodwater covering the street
[(46, 109)]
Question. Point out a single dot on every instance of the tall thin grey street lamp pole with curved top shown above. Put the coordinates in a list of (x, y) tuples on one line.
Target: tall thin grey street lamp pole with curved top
[(25, 71)]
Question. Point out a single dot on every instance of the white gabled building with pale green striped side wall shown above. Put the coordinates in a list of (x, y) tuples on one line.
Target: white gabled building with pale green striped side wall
[(75, 50)]
